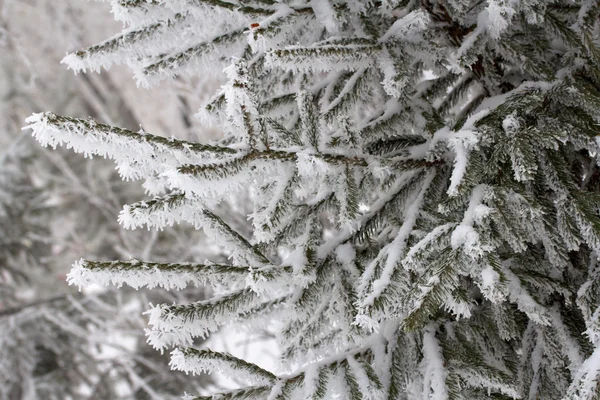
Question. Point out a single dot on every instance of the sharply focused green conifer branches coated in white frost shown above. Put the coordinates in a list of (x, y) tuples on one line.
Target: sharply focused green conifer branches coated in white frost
[(425, 184)]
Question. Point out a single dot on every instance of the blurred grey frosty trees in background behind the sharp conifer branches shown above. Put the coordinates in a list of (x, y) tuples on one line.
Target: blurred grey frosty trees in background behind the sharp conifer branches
[(56, 207)]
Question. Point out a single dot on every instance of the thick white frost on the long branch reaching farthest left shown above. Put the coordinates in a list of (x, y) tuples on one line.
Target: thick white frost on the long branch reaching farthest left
[(139, 155)]
